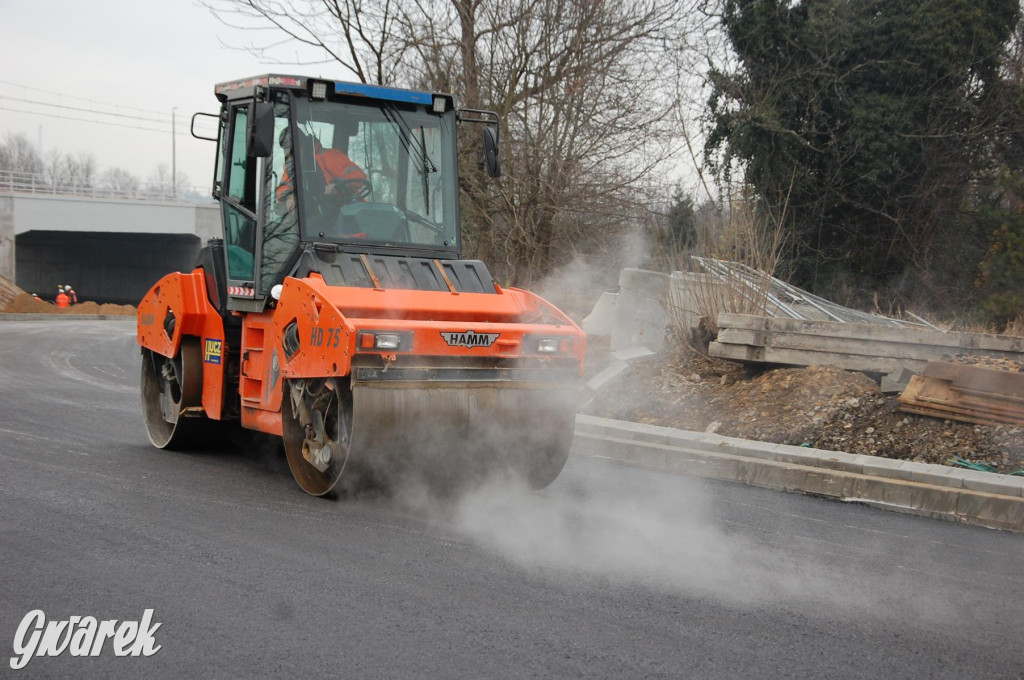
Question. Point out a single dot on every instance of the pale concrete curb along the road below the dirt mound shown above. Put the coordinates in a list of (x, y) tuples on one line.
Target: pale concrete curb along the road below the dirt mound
[(932, 491)]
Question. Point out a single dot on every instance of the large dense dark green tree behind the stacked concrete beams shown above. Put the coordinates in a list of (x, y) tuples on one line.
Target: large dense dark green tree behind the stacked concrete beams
[(871, 122)]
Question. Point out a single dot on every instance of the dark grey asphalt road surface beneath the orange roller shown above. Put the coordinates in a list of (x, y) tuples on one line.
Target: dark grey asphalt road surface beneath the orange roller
[(612, 572)]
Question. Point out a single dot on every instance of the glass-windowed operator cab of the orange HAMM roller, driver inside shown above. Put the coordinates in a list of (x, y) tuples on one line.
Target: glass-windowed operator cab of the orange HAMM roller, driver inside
[(309, 168)]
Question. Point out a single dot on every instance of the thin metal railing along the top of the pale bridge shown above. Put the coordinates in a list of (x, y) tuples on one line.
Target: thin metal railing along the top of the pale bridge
[(31, 183)]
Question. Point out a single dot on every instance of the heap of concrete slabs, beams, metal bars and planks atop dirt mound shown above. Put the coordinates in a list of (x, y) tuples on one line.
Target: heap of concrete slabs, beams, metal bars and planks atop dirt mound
[(786, 326)]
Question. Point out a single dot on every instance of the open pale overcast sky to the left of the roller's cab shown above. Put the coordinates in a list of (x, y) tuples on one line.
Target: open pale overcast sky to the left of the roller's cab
[(139, 59)]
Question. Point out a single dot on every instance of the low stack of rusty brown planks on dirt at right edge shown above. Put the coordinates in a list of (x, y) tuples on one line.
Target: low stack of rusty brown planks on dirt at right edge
[(987, 394)]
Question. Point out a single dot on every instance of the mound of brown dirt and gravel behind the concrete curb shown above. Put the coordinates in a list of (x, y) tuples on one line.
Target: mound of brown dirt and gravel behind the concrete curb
[(822, 407)]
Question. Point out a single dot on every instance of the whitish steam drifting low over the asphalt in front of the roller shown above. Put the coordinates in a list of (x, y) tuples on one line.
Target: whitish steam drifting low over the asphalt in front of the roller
[(665, 535)]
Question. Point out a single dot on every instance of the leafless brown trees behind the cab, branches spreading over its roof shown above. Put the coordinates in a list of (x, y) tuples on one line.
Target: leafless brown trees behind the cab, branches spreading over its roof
[(584, 89)]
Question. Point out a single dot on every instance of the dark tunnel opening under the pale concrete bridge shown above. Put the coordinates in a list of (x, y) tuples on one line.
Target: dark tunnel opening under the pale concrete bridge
[(102, 267)]
